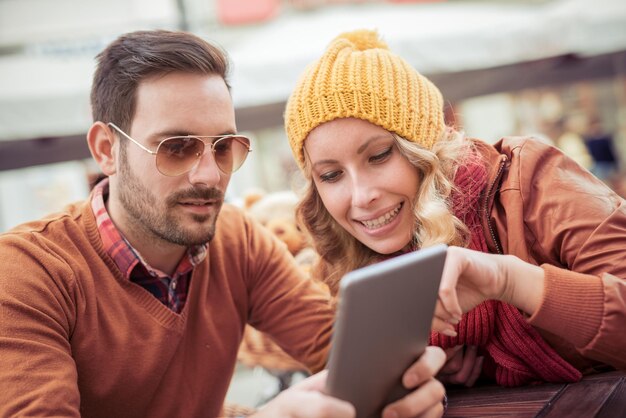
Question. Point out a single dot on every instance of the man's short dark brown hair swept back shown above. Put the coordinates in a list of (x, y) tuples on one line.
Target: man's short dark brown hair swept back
[(136, 56)]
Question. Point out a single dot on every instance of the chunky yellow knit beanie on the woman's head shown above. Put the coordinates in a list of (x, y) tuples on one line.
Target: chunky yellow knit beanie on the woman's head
[(358, 76)]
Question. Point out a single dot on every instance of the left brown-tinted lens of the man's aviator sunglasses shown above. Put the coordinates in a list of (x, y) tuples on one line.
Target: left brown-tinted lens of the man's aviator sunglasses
[(177, 155)]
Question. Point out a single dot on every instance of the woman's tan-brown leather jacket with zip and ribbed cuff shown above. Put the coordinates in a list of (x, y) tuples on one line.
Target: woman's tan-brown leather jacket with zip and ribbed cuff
[(542, 207)]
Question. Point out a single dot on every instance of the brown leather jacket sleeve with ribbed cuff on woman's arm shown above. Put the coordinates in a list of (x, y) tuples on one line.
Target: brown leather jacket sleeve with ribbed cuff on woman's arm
[(575, 228)]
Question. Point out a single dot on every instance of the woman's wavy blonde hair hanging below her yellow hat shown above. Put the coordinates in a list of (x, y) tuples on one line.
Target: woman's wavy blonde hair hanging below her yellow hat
[(435, 222)]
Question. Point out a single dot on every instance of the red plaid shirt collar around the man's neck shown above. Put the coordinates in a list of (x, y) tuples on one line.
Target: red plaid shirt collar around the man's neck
[(123, 254)]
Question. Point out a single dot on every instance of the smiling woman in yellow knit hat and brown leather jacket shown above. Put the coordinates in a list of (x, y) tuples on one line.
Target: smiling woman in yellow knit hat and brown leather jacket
[(534, 285)]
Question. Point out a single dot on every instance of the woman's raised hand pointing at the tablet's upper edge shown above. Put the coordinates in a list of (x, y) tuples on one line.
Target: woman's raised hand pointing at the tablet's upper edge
[(471, 277)]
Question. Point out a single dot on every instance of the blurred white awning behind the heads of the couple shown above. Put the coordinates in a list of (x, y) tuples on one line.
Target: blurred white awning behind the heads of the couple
[(46, 96)]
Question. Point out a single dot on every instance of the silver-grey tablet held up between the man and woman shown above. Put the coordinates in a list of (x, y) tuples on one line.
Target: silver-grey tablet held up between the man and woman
[(383, 323)]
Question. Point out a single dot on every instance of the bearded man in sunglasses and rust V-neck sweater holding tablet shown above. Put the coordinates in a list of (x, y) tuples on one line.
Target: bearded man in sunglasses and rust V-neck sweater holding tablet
[(133, 302)]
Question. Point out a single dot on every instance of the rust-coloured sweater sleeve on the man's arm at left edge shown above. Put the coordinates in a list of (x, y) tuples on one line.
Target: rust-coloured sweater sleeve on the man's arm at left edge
[(37, 373)]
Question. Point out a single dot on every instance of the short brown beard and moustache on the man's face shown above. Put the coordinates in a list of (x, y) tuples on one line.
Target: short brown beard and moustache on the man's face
[(158, 217)]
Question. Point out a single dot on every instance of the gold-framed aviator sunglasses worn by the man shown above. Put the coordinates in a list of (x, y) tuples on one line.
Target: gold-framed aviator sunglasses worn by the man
[(177, 155)]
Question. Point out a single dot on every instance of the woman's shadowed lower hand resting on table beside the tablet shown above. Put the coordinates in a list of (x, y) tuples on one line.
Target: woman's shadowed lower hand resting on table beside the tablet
[(463, 366)]
